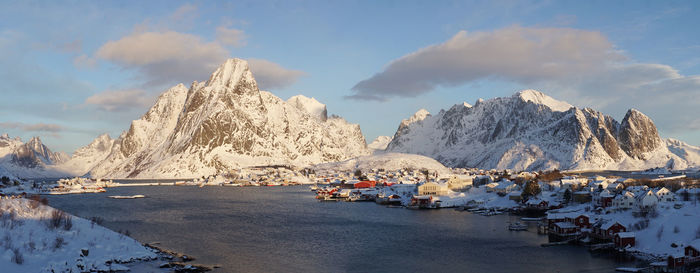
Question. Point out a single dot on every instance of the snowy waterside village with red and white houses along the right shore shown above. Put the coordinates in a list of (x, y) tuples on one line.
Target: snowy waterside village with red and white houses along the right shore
[(654, 217)]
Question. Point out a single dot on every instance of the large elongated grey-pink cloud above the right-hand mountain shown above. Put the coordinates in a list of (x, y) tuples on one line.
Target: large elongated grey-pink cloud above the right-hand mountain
[(514, 53)]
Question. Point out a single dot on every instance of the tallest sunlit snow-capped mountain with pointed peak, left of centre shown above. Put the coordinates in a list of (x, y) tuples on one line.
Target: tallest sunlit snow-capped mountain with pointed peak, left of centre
[(226, 123)]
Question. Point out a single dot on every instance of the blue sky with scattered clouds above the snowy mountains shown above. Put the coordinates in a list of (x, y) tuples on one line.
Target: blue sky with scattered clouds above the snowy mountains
[(72, 70)]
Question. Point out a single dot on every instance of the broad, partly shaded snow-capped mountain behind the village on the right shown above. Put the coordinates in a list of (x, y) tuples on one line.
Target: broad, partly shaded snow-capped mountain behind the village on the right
[(532, 131)]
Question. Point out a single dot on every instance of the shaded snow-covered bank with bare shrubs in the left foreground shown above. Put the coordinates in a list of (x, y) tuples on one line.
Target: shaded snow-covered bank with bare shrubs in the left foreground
[(38, 238)]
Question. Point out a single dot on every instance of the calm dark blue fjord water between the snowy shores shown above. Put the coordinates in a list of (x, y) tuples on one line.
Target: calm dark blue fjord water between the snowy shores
[(284, 229)]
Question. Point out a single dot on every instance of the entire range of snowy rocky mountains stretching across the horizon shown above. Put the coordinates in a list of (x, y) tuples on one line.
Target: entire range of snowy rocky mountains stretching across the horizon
[(226, 123)]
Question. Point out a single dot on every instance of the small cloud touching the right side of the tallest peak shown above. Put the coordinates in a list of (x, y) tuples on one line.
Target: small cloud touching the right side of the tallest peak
[(271, 75)]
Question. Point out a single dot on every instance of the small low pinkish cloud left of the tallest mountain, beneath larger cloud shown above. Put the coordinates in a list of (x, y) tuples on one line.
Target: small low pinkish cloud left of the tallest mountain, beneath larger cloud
[(120, 100)]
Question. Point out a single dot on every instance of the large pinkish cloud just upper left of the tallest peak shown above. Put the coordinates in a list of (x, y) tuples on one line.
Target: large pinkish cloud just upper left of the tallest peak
[(165, 57)]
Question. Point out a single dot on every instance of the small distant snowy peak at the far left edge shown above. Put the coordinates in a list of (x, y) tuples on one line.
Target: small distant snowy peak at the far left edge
[(29, 160)]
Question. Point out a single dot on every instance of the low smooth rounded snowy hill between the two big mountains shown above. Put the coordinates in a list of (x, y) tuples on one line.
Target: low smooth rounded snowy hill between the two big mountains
[(387, 161)]
